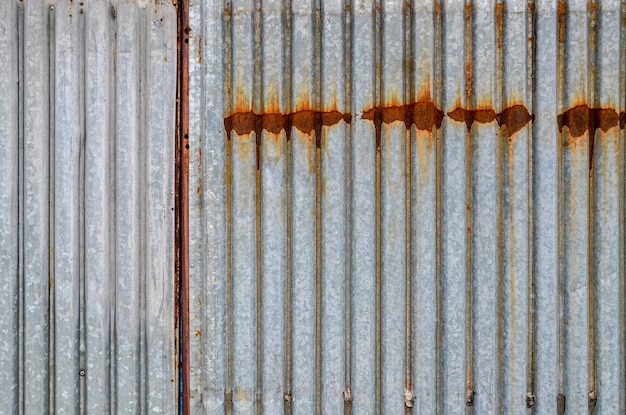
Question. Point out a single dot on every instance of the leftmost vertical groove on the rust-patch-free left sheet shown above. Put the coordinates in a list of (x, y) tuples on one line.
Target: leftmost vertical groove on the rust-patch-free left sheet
[(20, 209)]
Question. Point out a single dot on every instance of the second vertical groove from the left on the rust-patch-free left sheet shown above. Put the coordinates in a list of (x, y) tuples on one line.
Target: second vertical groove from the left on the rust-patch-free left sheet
[(51, 202)]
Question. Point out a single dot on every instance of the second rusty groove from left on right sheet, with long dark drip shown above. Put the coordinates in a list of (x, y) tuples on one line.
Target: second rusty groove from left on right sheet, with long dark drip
[(258, 108)]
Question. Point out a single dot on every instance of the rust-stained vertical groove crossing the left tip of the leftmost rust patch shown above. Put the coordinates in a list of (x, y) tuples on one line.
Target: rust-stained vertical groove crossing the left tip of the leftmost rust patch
[(229, 99)]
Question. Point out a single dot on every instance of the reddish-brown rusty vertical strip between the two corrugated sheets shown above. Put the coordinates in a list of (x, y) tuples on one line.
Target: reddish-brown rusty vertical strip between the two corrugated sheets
[(182, 195)]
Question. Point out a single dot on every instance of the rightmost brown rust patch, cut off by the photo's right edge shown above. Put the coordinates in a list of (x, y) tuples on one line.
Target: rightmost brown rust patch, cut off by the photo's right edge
[(582, 118)]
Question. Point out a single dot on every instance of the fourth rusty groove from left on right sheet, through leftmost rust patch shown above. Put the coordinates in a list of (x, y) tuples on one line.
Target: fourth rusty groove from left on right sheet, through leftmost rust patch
[(317, 103)]
